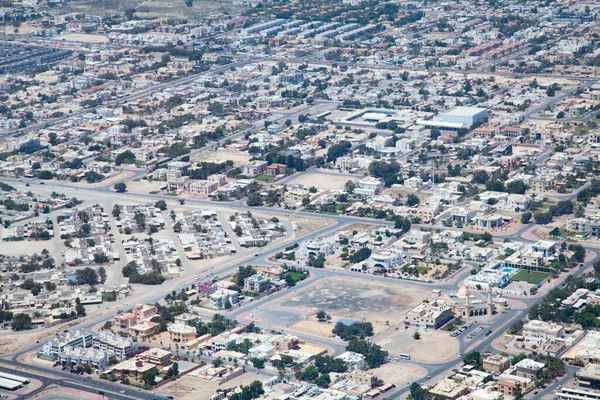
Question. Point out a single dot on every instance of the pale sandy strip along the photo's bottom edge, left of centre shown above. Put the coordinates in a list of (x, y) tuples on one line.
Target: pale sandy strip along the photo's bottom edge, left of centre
[(192, 388)]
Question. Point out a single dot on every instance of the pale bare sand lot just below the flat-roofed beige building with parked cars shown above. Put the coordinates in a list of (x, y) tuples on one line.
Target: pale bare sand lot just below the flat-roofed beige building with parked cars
[(433, 347)]
